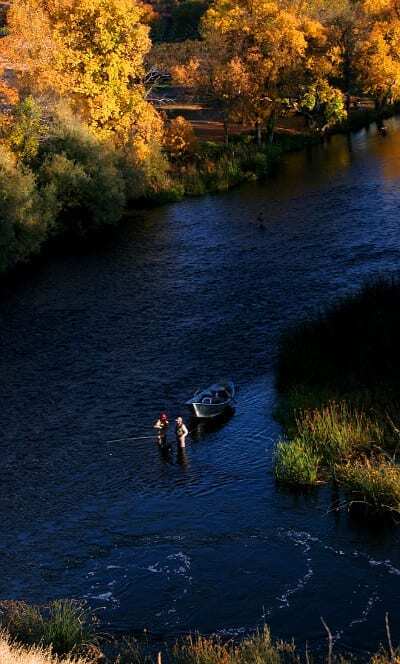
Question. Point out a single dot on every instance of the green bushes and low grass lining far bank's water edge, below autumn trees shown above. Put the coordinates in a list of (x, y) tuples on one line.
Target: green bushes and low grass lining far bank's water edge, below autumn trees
[(76, 188)]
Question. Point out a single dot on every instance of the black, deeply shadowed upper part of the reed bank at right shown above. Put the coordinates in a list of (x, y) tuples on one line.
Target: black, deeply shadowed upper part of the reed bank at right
[(351, 346)]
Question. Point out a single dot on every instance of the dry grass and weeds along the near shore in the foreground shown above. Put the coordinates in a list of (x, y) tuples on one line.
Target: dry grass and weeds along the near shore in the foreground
[(67, 631)]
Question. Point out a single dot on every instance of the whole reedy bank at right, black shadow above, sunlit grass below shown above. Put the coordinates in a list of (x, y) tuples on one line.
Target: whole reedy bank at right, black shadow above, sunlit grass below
[(338, 378)]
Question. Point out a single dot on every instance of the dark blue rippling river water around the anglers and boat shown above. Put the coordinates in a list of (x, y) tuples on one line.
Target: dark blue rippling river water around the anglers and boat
[(93, 346)]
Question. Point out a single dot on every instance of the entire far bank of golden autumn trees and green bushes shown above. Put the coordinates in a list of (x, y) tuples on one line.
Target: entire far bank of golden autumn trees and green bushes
[(87, 127)]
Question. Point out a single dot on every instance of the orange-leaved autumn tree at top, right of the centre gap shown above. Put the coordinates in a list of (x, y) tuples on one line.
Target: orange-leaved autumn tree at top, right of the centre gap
[(250, 52)]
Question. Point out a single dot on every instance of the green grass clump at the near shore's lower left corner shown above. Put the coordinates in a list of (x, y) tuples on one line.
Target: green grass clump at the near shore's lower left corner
[(63, 625)]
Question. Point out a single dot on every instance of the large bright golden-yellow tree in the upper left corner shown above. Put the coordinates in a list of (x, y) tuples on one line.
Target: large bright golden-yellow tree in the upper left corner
[(90, 51)]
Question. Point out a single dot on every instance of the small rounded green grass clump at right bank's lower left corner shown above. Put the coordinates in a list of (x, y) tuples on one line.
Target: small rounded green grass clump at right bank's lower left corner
[(296, 463)]
